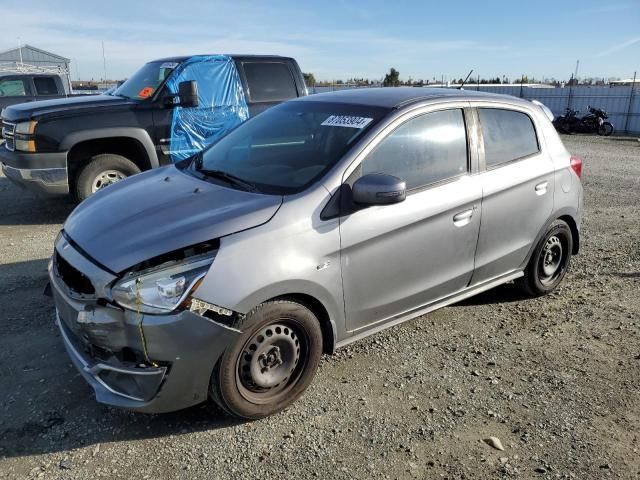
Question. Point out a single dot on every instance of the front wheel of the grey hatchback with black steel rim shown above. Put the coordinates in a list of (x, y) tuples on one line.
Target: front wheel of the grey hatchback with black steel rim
[(272, 362)]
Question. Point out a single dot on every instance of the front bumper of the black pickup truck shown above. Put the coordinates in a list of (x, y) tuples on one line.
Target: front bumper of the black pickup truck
[(42, 173)]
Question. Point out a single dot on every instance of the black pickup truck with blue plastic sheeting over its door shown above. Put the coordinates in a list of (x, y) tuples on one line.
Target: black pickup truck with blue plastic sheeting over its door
[(169, 110)]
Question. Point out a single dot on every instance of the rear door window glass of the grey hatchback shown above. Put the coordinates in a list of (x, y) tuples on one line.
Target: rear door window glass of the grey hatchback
[(508, 135)]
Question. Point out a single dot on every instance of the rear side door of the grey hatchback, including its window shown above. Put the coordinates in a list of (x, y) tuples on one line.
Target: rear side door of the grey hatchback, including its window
[(518, 187)]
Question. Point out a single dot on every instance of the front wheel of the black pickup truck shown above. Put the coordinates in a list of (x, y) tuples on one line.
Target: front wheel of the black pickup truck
[(103, 170)]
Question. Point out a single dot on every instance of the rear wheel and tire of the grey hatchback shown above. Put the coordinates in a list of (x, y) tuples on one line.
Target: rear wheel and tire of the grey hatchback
[(550, 260)]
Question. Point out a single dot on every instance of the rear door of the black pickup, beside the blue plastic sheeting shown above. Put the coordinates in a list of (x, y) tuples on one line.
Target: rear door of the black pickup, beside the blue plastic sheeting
[(268, 82)]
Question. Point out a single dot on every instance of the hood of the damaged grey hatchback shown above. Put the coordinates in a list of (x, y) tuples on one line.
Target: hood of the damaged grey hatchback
[(160, 211)]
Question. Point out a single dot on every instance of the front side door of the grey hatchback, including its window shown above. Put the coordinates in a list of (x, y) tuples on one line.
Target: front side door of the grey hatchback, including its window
[(397, 258)]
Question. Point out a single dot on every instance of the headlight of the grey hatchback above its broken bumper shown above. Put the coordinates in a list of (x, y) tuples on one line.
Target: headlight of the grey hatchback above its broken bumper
[(161, 290)]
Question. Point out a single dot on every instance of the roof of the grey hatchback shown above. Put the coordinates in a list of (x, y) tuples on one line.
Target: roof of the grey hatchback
[(400, 96)]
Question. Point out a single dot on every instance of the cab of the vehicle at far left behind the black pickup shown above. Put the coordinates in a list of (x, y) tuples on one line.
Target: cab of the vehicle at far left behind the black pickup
[(18, 87)]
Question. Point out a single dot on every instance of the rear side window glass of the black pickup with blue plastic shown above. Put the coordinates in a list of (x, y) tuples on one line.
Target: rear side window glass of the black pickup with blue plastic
[(269, 82)]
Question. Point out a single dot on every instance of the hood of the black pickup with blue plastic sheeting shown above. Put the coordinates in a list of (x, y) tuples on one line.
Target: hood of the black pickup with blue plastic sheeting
[(28, 110)]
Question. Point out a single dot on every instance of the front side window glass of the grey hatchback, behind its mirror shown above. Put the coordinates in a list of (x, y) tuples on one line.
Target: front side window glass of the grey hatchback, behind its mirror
[(424, 150)]
